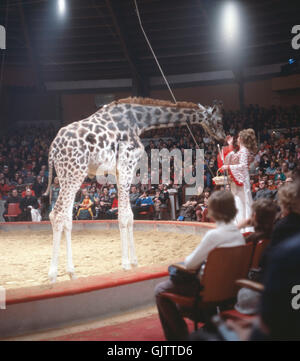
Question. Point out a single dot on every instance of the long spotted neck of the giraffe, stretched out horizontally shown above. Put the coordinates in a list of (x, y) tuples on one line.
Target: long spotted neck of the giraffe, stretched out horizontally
[(155, 117)]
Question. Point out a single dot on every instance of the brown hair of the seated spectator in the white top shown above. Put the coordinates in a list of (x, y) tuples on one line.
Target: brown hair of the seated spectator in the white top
[(221, 206)]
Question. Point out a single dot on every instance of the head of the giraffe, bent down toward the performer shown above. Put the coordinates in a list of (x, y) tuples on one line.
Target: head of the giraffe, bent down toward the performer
[(212, 122)]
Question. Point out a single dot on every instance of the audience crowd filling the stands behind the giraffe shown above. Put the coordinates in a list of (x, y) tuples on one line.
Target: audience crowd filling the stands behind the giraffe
[(23, 164)]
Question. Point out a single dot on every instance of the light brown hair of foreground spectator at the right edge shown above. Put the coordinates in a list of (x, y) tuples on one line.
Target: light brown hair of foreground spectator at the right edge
[(289, 197)]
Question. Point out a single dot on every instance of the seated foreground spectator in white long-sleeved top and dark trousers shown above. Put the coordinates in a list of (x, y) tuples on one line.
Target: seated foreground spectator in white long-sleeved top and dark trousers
[(221, 208)]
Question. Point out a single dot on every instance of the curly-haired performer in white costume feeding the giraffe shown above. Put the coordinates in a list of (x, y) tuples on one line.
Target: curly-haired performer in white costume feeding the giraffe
[(237, 164)]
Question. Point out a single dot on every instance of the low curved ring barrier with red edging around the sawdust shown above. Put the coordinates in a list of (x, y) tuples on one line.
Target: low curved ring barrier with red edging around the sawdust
[(44, 307)]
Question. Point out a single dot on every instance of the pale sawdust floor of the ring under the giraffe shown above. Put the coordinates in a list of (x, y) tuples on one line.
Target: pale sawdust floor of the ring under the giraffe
[(25, 256)]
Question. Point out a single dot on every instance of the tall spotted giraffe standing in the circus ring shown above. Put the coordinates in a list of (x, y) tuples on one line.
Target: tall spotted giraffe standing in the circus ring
[(110, 140)]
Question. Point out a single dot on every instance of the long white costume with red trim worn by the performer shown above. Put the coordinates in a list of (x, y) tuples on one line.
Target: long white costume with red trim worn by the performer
[(240, 182)]
